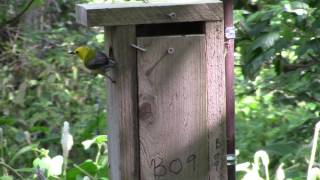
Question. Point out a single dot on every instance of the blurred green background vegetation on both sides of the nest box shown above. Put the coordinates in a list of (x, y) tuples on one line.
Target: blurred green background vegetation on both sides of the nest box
[(41, 86)]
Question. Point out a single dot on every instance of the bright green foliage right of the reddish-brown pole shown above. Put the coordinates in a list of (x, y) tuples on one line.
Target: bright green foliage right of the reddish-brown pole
[(277, 91)]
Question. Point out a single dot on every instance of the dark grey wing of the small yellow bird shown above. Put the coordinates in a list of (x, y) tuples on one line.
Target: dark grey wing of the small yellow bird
[(100, 61)]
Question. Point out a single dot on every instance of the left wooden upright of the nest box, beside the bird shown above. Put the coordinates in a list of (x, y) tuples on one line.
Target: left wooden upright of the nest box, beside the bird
[(122, 106)]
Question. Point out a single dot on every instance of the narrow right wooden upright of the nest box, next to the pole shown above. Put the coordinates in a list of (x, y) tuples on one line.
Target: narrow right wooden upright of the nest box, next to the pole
[(216, 99)]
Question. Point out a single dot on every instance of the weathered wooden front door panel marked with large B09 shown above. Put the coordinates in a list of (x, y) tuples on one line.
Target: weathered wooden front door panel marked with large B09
[(172, 108)]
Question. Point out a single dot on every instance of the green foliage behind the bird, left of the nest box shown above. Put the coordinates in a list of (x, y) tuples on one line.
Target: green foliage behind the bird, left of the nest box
[(41, 86)]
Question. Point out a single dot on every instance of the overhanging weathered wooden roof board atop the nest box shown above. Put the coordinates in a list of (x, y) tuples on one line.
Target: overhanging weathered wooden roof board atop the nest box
[(111, 14)]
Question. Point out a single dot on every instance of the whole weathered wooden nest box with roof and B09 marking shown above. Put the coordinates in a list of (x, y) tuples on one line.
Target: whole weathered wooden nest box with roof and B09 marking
[(166, 111)]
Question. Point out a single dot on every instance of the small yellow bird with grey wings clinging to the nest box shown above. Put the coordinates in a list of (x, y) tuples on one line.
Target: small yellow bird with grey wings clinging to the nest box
[(95, 61)]
